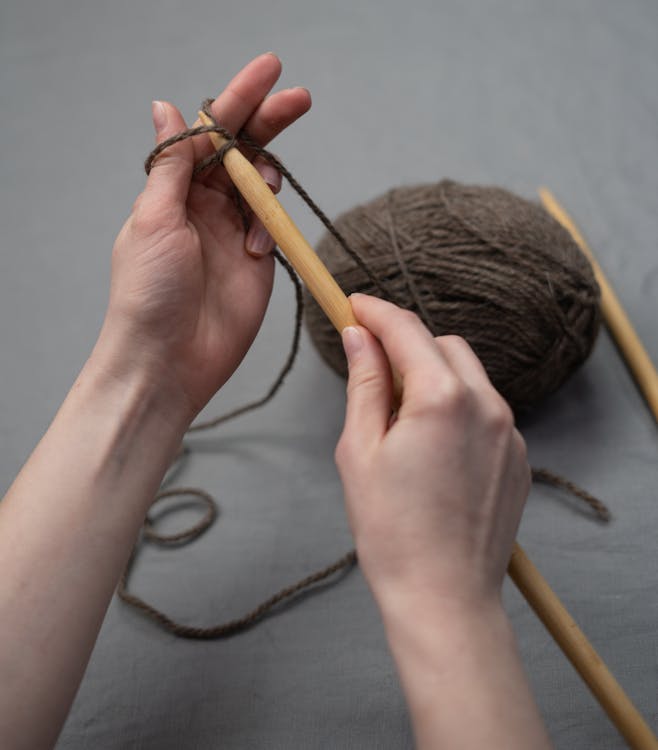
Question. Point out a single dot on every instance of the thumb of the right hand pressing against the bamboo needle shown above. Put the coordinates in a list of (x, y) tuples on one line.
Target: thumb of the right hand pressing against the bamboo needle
[(368, 388)]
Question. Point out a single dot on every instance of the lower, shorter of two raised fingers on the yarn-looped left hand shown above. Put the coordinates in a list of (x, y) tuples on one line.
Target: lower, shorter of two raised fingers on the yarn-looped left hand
[(271, 117)]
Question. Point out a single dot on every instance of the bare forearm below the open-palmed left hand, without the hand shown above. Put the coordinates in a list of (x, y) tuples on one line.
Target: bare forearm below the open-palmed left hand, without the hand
[(67, 526)]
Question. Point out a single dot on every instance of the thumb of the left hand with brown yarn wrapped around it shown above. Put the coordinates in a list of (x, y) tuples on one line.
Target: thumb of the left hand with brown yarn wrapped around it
[(168, 183)]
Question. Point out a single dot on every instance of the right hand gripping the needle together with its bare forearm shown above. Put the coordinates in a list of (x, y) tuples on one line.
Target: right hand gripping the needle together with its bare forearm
[(434, 498)]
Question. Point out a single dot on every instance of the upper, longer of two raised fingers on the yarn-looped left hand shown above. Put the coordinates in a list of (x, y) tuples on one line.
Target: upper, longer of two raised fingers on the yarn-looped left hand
[(240, 99)]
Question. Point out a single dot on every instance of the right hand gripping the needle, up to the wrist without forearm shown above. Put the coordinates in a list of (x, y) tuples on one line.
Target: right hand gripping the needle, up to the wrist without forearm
[(435, 496)]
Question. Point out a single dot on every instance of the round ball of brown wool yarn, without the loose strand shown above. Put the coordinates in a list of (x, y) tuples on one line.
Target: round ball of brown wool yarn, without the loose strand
[(479, 262)]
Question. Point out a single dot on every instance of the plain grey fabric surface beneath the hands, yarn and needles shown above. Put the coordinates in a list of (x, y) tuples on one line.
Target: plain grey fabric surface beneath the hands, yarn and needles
[(516, 93)]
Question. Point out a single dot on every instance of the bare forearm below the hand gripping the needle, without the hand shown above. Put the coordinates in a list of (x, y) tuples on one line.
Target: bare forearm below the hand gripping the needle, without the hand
[(463, 678)]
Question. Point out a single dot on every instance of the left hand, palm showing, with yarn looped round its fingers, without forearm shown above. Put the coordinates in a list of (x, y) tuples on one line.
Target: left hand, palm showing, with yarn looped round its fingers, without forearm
[(186, 299)]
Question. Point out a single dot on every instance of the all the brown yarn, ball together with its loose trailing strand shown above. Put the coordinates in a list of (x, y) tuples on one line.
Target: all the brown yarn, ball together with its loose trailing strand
[(487, 242)]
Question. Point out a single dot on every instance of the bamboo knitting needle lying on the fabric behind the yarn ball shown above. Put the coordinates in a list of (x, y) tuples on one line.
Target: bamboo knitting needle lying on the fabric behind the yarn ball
[(617, 321)]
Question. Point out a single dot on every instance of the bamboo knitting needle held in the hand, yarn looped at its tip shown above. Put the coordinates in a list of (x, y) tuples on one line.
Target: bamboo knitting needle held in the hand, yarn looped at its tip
[(528, 579)]
